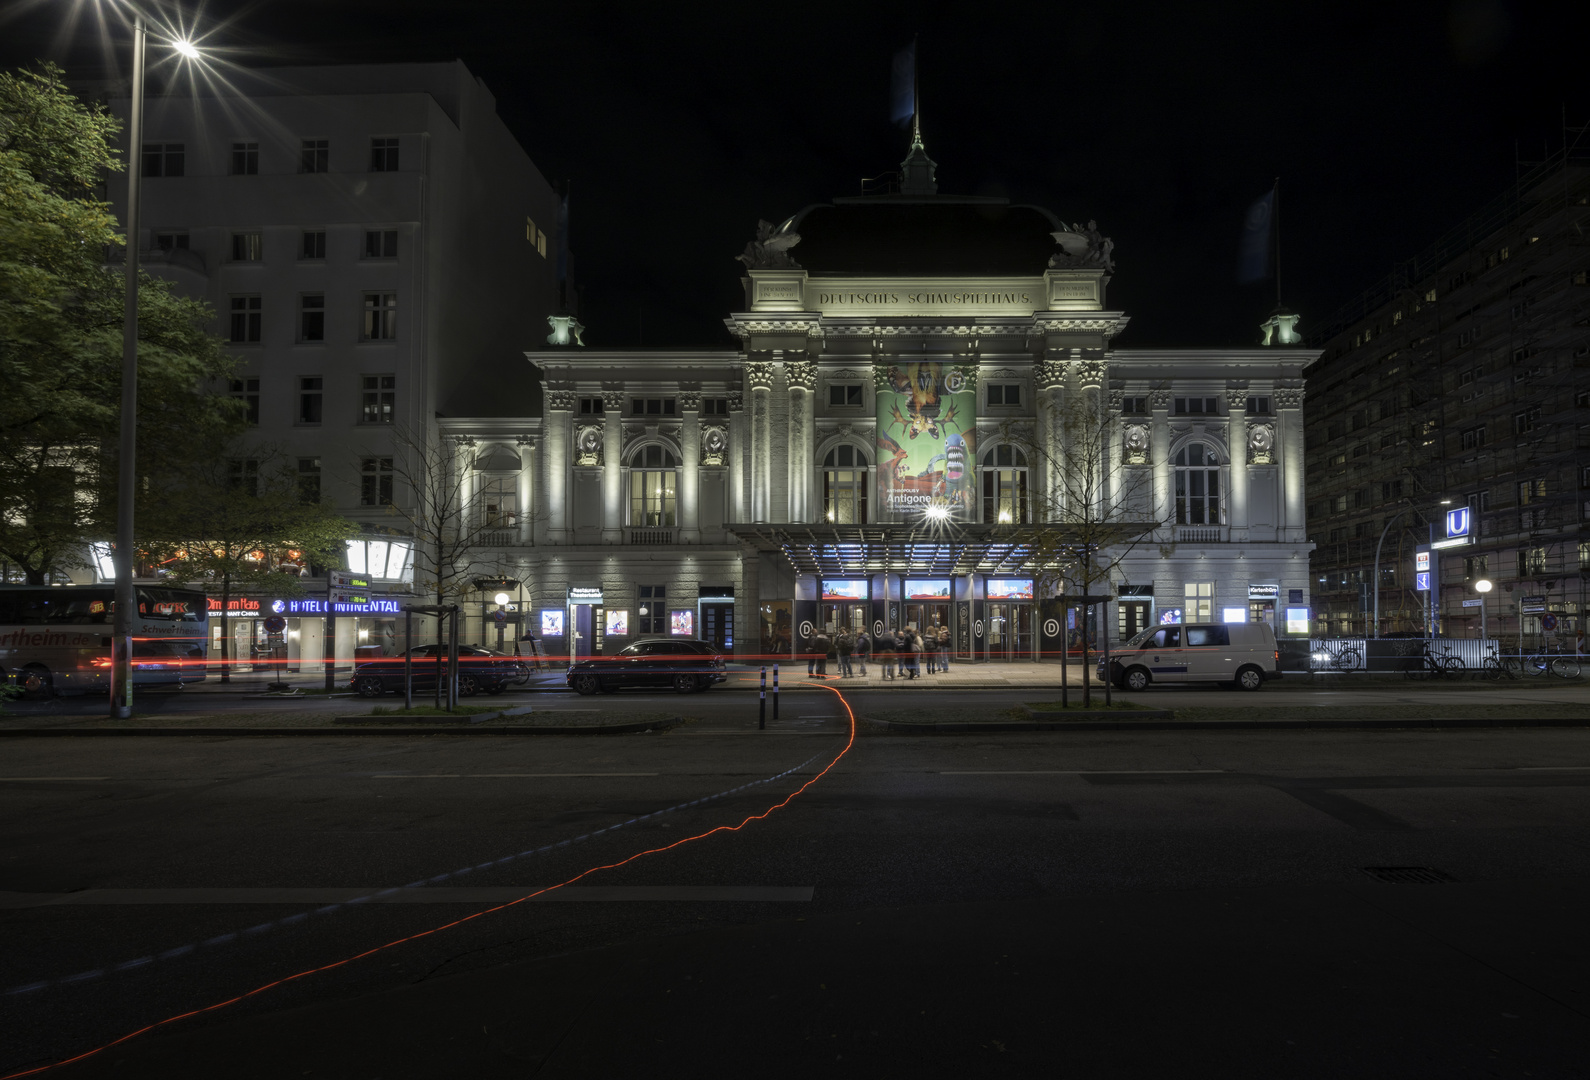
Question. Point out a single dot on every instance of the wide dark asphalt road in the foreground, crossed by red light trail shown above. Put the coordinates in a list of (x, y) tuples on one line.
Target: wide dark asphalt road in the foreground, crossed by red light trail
[(1087, 904)]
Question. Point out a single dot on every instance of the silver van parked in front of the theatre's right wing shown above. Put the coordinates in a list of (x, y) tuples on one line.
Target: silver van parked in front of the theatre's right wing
[(1241, 655)]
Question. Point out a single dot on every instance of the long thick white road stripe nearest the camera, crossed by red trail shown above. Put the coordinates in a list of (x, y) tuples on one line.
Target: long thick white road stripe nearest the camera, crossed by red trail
[(457, 895)]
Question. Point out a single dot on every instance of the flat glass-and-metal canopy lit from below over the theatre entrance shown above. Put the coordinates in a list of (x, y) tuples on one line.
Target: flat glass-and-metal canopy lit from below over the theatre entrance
[(933, 550)]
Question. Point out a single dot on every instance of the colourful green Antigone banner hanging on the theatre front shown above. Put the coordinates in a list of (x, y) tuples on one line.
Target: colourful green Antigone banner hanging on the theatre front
[(926, 425)]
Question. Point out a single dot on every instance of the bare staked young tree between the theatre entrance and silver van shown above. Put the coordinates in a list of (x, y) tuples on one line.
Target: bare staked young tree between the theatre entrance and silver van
[(1096, 508)]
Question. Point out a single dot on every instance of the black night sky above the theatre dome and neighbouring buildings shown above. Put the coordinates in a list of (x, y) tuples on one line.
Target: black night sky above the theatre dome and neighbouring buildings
[(680, 126)]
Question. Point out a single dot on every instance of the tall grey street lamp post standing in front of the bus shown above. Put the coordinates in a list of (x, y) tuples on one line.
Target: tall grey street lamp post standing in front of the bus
[(126, 465)]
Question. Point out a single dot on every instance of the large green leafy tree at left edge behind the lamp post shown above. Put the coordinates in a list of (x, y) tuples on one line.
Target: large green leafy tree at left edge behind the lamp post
[(61, 336)]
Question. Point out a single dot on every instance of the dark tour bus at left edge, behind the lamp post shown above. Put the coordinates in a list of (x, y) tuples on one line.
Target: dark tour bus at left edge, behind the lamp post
[(56, 639)]
